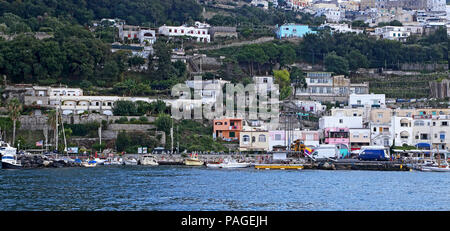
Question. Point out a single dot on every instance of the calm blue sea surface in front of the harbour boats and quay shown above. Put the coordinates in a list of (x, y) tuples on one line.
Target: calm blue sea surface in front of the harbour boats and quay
[(199, 188)]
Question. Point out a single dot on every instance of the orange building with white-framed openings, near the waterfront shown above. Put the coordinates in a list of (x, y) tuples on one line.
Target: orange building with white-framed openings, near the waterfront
[(227, 129)]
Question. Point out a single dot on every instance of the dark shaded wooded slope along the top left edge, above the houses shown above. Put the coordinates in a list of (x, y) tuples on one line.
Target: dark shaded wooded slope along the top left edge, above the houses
[(154, 12)]
